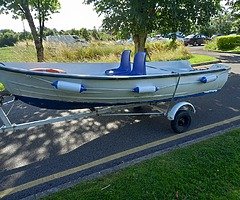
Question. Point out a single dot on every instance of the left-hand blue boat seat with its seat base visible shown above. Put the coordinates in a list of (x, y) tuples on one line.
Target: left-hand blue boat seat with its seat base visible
[(125, 65)]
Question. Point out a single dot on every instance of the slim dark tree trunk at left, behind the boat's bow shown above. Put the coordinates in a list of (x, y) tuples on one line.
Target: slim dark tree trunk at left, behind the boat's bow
[(37, 40)]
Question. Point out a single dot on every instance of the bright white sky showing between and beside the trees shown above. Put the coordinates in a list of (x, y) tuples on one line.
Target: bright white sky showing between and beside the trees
[(73, 14)]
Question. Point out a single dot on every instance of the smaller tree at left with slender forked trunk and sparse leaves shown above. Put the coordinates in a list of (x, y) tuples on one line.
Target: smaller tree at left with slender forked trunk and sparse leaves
[(30, 10)]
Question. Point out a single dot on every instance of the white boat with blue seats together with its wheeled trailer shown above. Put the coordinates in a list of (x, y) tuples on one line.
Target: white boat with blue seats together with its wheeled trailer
[(109, 89)]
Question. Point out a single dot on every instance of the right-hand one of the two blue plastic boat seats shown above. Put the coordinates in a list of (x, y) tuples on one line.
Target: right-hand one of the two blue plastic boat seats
[(139, 64)]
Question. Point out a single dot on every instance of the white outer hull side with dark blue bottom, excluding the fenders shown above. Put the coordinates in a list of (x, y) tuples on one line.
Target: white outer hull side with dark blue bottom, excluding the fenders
[(100, 90)]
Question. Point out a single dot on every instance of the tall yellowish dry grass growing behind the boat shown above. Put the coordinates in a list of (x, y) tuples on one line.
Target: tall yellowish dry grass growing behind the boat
[(96, 52)]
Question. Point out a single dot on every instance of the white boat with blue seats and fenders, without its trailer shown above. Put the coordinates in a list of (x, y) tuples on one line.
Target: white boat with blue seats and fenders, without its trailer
[(89, 85)]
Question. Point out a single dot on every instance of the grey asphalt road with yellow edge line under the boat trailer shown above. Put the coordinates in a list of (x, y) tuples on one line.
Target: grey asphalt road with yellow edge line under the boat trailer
[(73, 150)]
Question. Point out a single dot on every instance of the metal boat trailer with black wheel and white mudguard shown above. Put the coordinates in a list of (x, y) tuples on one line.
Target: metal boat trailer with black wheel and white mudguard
[(180, 114)]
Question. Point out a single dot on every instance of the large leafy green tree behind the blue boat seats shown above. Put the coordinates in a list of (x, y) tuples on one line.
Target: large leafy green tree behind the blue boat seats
[(140, 18)]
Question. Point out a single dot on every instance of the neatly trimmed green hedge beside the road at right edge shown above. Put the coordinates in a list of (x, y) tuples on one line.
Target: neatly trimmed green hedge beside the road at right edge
[(226, 43)]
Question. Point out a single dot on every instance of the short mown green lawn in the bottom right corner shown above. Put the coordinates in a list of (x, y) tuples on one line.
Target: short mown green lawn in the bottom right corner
[(207, 170)]
